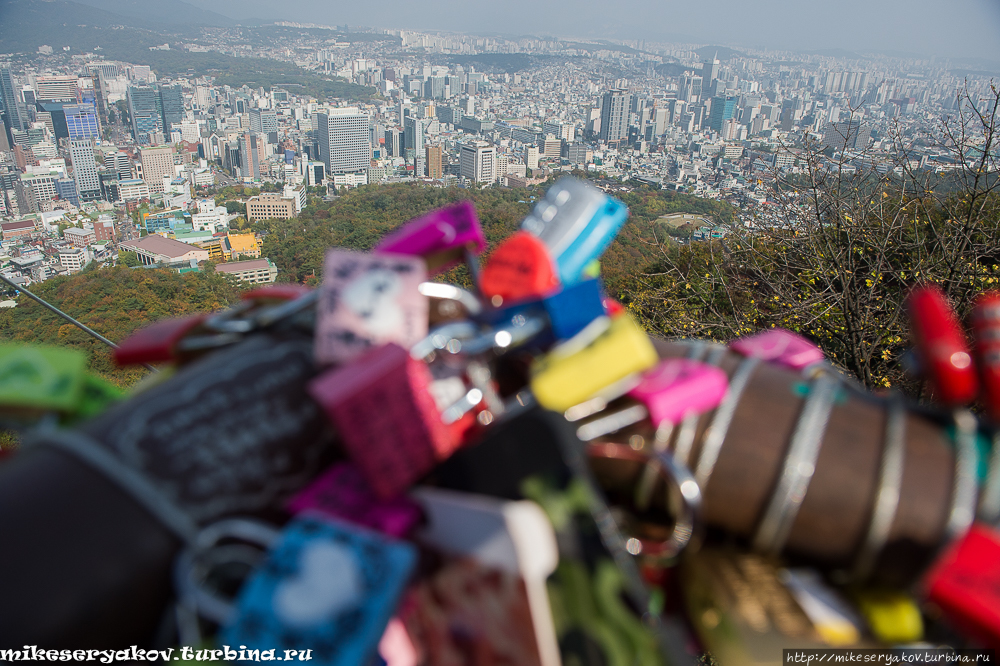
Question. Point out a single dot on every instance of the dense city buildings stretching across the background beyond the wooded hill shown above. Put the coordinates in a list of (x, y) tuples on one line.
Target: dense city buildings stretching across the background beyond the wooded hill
[(95, 152)]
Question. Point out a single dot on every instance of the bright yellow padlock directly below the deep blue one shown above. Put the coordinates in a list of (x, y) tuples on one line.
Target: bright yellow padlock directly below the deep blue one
[(592, 360)]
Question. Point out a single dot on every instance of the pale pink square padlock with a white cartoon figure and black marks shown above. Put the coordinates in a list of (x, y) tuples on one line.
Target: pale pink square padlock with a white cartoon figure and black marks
[(368, 300)]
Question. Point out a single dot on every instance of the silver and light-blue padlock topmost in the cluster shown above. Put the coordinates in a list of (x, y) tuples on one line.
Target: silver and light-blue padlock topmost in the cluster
[(577, 222)]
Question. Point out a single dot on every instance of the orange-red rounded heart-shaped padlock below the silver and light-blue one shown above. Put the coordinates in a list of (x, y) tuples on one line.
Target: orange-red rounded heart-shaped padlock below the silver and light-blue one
[(521, 267)]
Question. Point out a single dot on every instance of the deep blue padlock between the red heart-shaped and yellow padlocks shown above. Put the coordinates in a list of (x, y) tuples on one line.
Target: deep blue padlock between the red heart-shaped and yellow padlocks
[(568, 311)]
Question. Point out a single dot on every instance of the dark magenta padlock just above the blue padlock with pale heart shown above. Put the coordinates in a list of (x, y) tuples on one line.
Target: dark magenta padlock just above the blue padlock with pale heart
[(342, 492)]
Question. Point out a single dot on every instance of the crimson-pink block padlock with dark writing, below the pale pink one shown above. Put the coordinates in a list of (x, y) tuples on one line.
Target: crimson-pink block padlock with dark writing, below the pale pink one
[(384, 410)]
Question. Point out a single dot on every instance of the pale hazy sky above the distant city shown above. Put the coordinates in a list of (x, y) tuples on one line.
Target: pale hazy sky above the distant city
[(962, 28)]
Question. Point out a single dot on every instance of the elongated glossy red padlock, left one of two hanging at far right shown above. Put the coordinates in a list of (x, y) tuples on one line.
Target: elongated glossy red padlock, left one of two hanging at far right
[(941, 346)]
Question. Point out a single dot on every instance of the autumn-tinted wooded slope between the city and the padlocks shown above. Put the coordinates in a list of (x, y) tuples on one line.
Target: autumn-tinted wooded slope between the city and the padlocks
[(116, 301)]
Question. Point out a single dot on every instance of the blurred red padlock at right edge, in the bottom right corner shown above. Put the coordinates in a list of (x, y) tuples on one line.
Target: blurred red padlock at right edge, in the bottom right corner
[(965, 584)]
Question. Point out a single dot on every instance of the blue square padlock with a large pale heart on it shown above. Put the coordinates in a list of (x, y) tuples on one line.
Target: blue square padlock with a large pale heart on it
[(327, 587)]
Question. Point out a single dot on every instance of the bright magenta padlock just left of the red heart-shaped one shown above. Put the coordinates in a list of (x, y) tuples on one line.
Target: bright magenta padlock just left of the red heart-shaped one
[(442, 237)]
